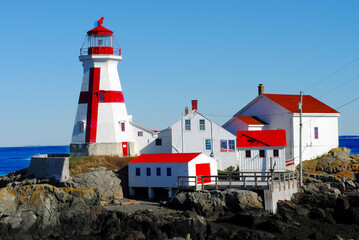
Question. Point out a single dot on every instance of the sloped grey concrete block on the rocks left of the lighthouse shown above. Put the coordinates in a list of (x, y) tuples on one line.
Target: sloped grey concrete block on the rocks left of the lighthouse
[(50, 166)]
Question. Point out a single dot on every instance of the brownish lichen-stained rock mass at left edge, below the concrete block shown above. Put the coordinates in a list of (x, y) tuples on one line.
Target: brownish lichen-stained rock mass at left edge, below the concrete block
[(41, 206)]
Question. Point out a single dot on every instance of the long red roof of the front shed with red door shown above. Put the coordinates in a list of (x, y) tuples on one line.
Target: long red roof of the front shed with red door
[(165, 158)]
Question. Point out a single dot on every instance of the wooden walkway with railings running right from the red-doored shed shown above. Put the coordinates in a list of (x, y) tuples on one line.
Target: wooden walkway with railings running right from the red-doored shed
[(242, 180)]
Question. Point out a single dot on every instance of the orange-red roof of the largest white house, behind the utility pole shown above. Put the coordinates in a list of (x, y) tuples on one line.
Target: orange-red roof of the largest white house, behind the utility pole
[(310, 104)]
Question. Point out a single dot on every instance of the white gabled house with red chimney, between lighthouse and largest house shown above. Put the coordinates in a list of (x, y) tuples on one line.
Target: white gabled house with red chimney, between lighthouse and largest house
[(195, 132)]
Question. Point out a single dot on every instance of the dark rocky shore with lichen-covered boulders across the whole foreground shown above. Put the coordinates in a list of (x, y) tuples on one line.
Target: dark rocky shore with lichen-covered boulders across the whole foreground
[(92, 206)]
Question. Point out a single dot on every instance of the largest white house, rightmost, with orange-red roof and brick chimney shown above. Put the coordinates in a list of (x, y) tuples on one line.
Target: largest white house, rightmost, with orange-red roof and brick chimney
[(280, 111)]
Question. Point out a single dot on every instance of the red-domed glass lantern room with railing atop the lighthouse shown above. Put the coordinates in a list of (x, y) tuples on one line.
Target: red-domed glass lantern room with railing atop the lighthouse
[(100, 40)]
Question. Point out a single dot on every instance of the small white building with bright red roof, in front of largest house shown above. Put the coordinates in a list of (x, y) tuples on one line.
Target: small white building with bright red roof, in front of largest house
[(261, 151)]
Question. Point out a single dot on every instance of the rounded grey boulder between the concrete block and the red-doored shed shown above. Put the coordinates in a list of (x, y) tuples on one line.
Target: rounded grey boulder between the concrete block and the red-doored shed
[(106, 182)]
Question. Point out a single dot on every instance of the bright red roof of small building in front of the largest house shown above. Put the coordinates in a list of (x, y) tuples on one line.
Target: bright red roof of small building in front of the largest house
[(261, 138)]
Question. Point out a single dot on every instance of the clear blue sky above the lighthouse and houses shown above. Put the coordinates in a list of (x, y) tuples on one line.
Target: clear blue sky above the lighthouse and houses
[(174, 51)]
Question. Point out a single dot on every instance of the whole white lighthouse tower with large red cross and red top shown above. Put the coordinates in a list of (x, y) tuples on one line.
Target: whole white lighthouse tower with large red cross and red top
[(102, 123)]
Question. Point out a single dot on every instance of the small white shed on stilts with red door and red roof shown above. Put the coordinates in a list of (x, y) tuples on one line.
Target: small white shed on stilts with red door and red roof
[(162, 170)]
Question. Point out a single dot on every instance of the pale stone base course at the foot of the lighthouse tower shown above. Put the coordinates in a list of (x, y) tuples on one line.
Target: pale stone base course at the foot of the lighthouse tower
[(98, 149)]
